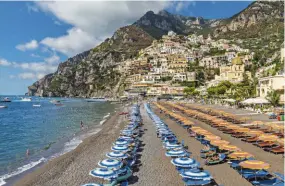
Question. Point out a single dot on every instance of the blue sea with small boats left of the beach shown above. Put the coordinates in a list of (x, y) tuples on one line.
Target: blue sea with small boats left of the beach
[(46, 131)]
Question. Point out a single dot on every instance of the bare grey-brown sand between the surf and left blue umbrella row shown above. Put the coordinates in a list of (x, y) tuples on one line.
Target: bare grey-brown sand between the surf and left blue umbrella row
[(73, 167)]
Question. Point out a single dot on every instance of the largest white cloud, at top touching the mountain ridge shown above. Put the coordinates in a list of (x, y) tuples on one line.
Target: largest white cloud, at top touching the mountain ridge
[(93, 21)]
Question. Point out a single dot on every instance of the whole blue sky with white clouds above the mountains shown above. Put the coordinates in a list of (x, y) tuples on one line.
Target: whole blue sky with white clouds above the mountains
[(36, 36)]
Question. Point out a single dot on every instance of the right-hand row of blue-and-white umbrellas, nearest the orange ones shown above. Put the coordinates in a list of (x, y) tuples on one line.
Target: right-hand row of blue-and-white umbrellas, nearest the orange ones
[(188, 168)]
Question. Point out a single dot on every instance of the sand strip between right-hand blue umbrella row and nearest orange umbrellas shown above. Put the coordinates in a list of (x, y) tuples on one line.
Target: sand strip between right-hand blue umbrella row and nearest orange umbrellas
[(222, 173)]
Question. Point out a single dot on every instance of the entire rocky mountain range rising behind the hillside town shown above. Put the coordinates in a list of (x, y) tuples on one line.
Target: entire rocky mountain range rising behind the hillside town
[(92, 73)]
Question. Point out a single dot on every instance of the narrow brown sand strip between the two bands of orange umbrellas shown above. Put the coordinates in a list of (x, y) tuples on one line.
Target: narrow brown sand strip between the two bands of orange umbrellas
[(276, 161)]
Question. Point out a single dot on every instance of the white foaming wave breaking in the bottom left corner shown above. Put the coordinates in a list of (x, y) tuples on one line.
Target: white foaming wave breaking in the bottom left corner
[(20, 170)]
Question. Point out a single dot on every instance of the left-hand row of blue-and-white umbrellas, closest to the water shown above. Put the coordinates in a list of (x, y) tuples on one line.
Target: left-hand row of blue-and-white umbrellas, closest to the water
[(117, 168)]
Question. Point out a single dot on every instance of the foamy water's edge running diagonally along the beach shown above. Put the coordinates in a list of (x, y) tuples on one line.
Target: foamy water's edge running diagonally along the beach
[(65, 147)]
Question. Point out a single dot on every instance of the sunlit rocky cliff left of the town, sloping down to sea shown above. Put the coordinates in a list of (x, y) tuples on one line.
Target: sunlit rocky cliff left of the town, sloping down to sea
[(92, 73)]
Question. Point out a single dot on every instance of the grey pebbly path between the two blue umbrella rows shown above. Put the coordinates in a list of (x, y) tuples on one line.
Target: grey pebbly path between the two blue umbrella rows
[(156, 168)]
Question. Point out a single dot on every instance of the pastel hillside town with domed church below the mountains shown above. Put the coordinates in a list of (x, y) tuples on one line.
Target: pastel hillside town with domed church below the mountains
[(174, 63)]
